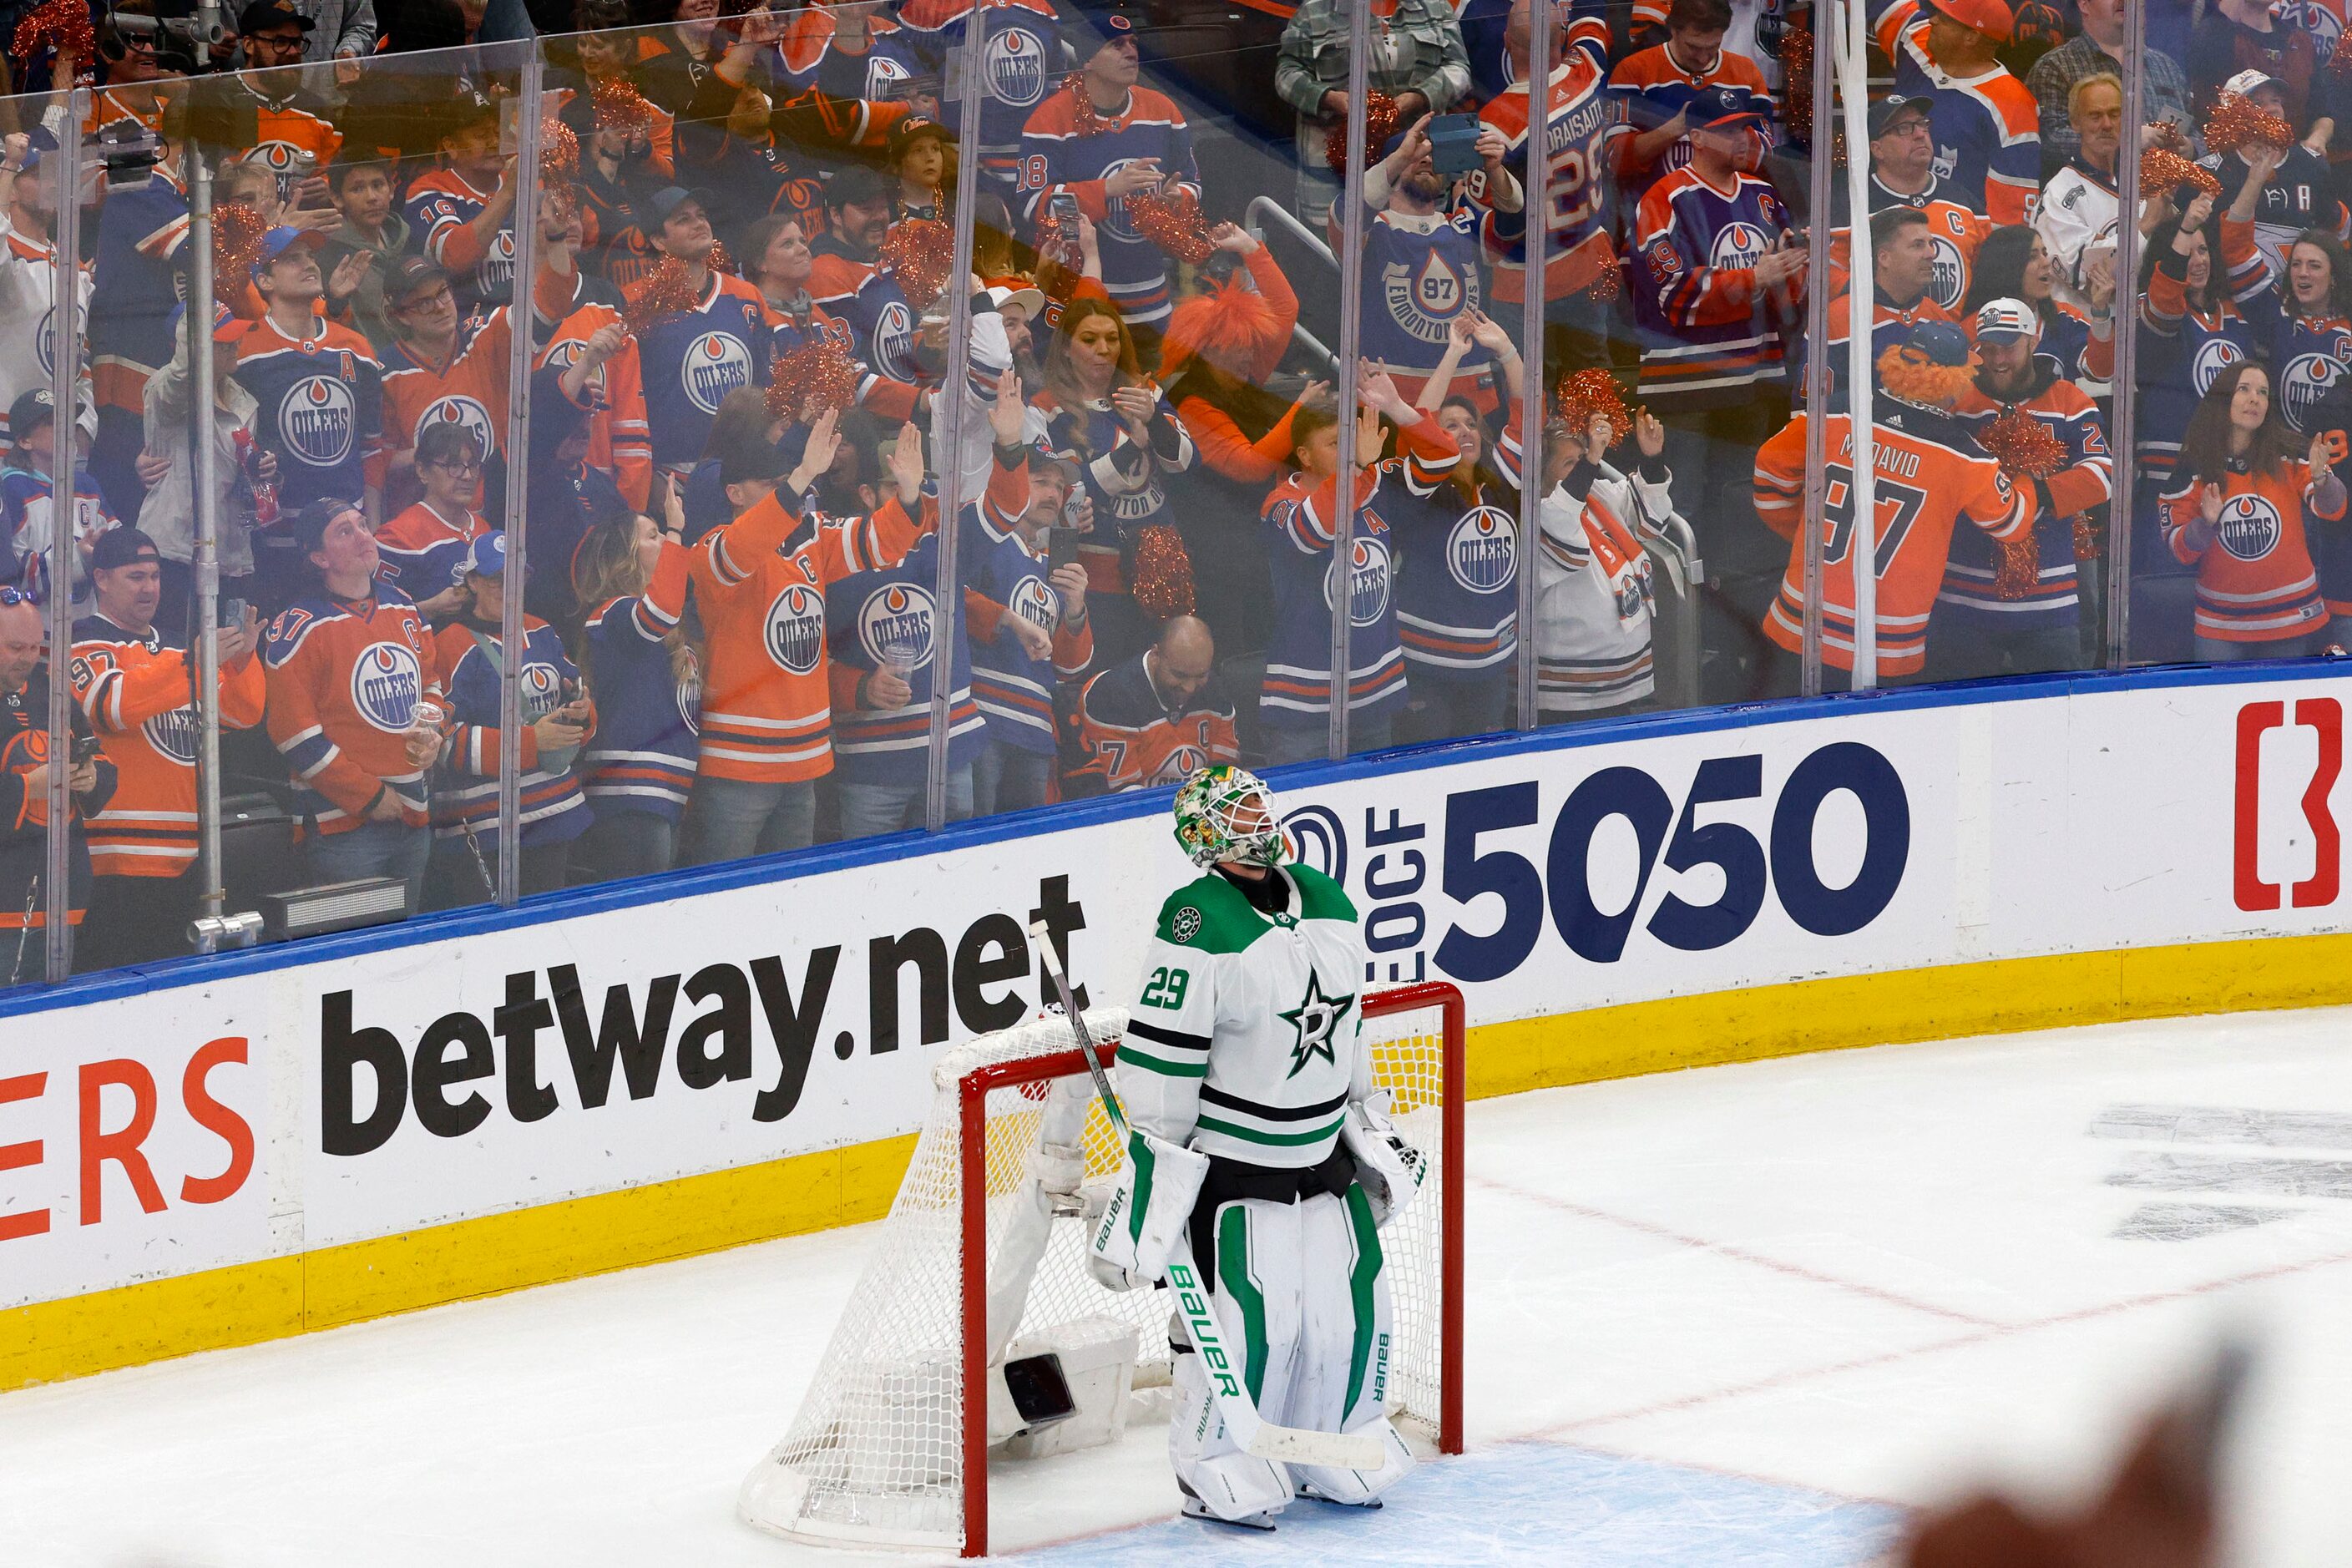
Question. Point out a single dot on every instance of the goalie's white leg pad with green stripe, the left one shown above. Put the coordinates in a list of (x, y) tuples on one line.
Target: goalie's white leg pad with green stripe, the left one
[(1252, 1259)]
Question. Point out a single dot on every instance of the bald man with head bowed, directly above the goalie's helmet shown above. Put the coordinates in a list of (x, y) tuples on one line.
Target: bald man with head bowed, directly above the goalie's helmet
[(1156, 718)]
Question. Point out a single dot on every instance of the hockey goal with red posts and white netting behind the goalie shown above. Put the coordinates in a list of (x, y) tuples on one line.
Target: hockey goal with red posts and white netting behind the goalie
[(893, 1440)]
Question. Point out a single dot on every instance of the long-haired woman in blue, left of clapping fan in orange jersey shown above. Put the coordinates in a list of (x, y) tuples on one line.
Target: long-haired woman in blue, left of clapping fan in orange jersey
[(646, 671)]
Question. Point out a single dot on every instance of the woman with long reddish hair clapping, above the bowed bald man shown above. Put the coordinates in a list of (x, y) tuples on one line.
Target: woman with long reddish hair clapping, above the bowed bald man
[(1125, 436)]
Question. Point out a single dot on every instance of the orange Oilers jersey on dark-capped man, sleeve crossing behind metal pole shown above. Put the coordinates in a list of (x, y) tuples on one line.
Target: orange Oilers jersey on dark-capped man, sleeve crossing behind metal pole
[(135, 695)]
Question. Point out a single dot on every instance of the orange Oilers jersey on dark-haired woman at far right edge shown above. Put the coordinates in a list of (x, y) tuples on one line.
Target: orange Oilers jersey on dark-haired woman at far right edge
[(2254, 575)]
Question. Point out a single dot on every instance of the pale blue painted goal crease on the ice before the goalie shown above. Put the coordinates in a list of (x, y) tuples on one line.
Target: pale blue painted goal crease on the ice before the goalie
[(1523, 1506)]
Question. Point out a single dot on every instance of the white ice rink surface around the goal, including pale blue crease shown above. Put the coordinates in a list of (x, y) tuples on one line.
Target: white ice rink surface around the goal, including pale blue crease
[(1737, 1315)]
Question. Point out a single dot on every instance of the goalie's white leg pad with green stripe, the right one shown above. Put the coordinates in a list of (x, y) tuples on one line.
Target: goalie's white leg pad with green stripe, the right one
[(1344, 1358)]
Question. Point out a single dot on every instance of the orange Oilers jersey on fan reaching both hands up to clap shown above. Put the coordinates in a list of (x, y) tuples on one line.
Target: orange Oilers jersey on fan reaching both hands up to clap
[(761, 584)]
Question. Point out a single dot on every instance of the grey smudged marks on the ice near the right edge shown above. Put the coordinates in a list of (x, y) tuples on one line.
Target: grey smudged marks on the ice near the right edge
[(2247, 1177)]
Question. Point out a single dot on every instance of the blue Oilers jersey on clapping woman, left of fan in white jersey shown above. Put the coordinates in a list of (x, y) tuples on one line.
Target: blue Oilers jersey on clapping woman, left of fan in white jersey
[(1457, 572)]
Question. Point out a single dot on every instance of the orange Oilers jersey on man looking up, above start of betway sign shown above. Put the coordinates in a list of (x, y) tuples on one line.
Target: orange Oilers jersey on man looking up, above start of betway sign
[(345, 681)]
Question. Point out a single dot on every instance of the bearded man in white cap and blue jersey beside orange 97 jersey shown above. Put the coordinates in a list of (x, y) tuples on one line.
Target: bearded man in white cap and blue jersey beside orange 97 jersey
[(2017, 608)]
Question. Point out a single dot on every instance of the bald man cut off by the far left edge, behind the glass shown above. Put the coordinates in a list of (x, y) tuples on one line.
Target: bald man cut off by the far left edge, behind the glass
[(25, 793)]
